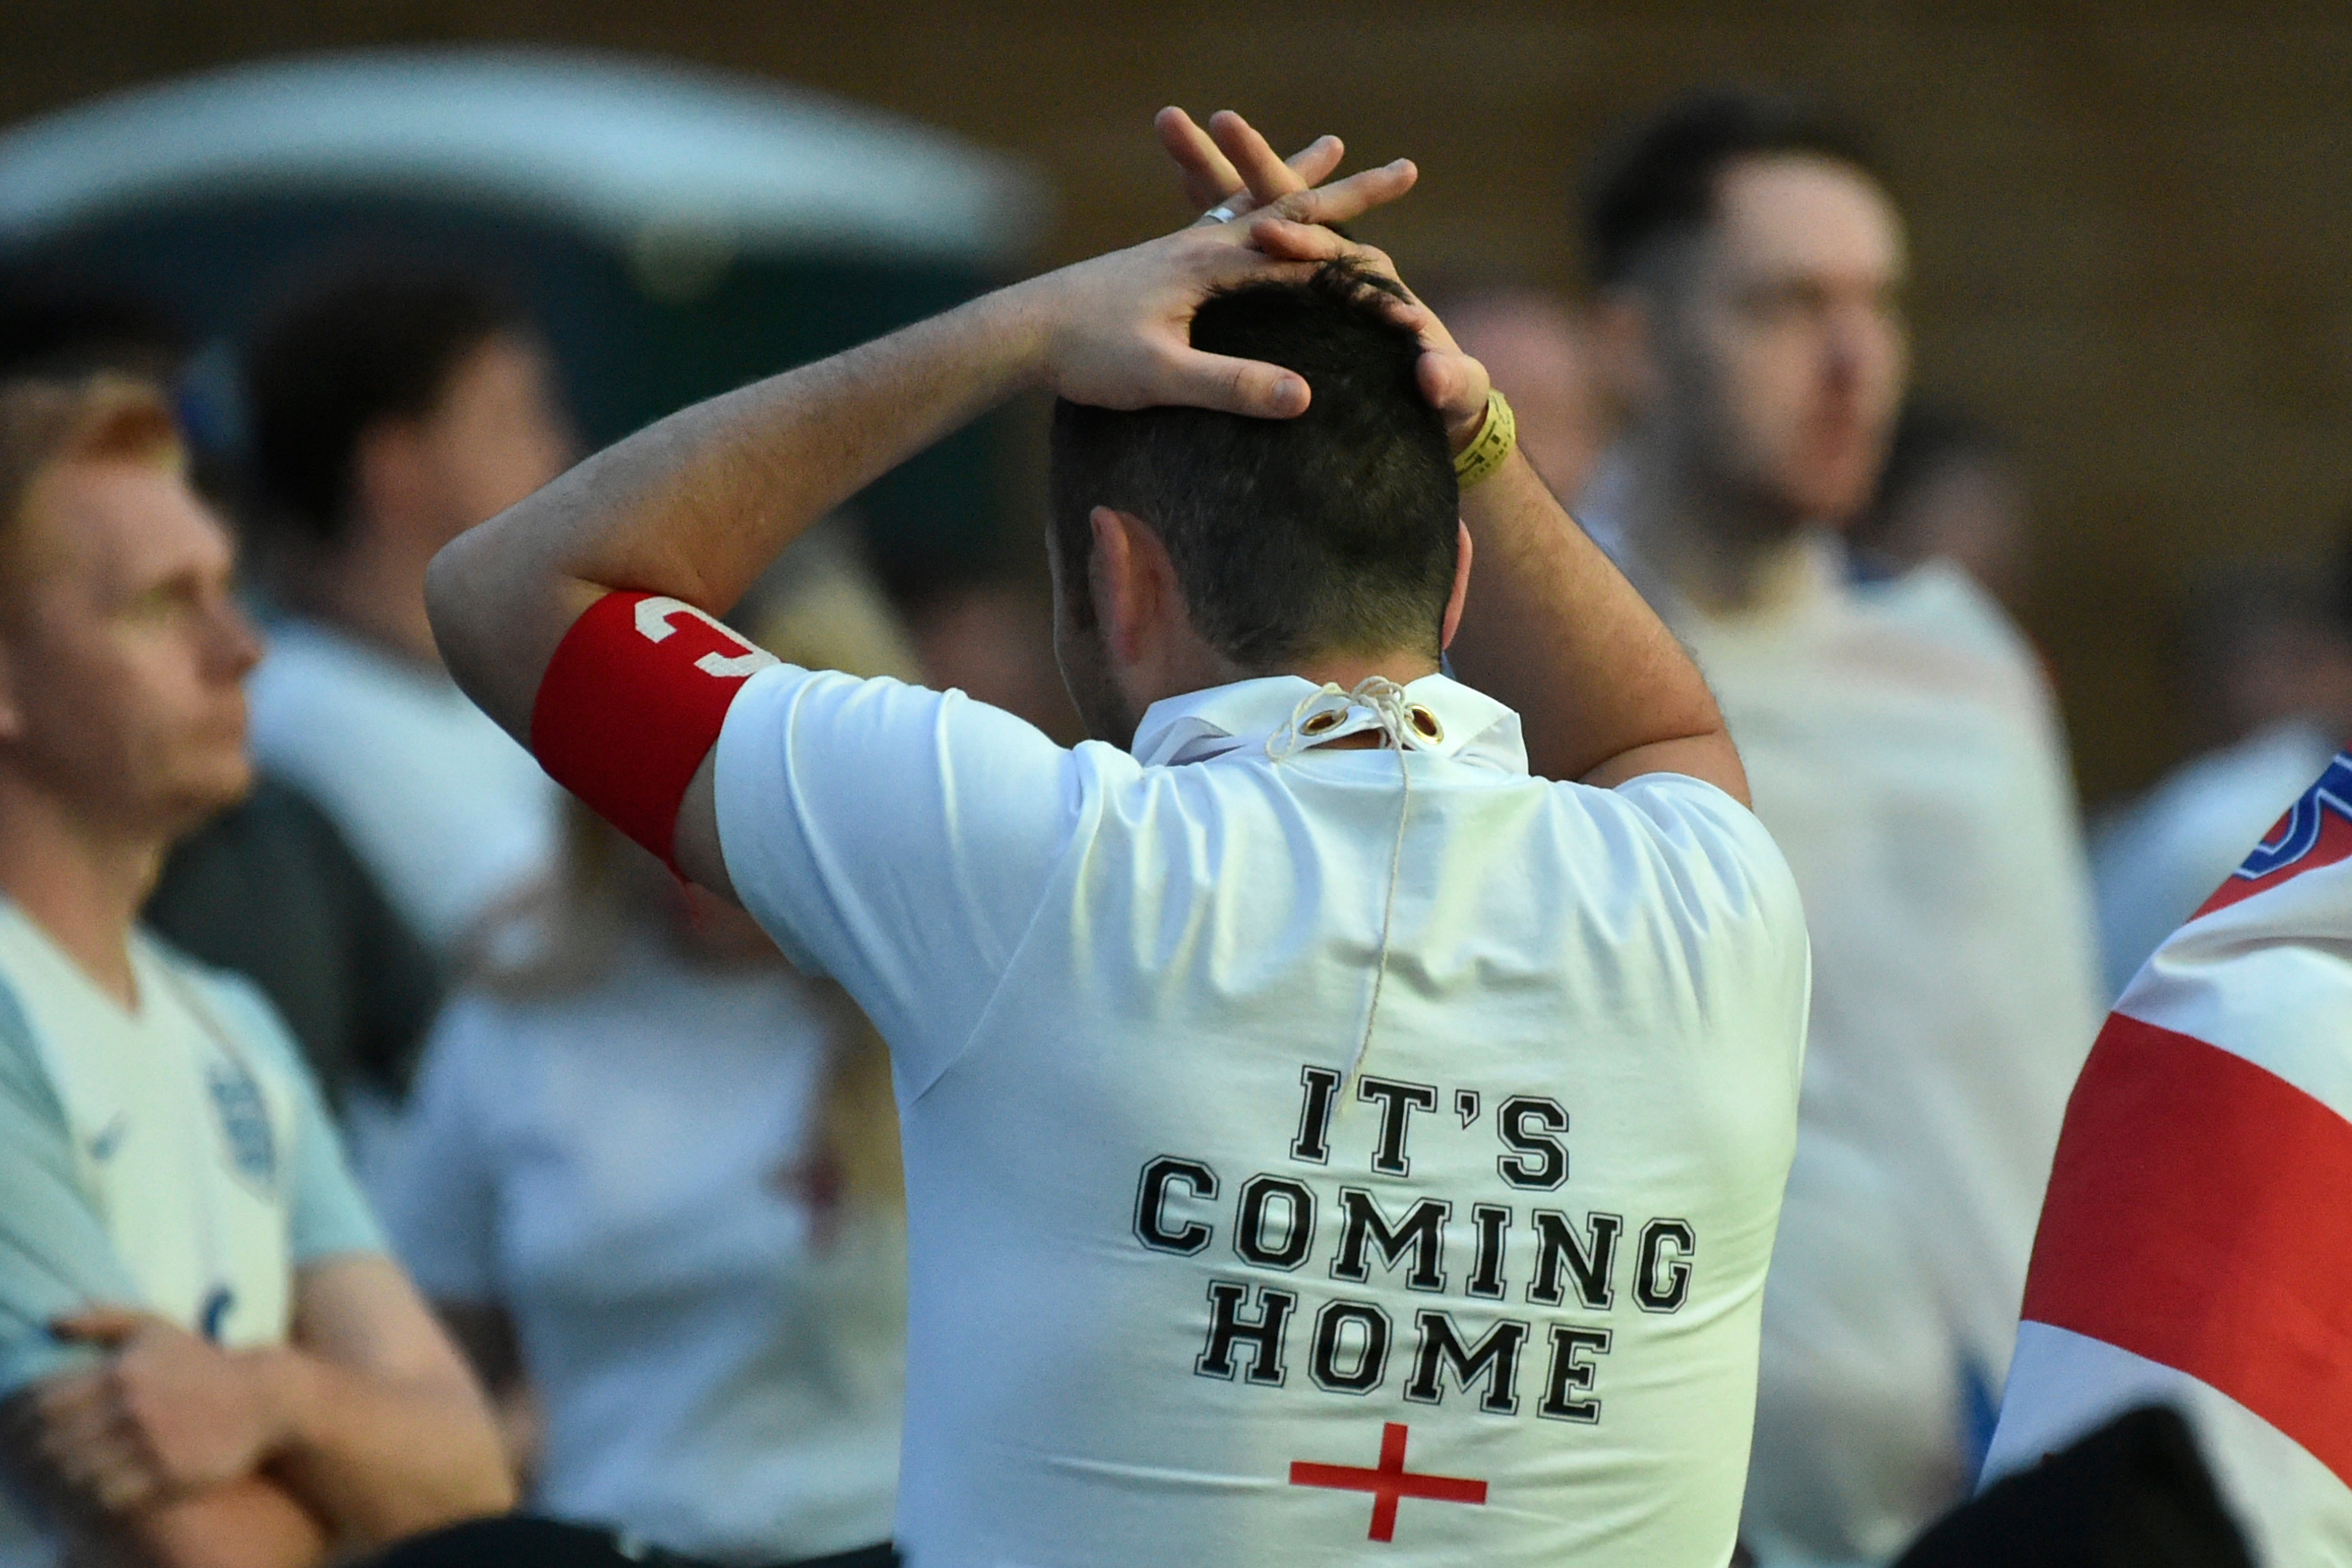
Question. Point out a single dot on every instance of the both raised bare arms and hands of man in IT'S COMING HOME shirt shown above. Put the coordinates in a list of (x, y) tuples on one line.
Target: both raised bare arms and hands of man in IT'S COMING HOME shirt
[(697, 504)]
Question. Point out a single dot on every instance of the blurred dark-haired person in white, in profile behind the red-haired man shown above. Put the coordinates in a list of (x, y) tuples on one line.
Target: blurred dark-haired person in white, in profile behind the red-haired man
[(389, 413)]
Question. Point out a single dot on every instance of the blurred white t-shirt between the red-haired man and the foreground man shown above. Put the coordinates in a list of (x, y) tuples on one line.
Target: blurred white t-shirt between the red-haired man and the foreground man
[(615, 1167)]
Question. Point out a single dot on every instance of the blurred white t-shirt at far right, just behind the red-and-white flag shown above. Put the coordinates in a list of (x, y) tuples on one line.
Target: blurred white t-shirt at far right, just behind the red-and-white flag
[(2172, 847)]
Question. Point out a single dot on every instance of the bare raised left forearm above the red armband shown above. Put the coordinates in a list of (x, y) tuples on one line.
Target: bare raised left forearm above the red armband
[(700, 504)]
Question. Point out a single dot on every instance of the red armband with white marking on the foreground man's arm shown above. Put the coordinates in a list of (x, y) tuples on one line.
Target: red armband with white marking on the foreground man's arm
[(634, 702)]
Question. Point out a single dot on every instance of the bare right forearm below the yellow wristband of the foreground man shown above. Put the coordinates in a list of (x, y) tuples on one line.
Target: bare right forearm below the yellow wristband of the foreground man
[(1558, 634)]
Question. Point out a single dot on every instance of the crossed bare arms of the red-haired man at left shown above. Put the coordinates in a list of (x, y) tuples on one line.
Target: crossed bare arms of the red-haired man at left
[(361, 1430)]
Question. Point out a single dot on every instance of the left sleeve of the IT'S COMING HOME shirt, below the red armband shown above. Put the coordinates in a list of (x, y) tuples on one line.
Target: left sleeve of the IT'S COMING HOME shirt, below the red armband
[(897, 840)]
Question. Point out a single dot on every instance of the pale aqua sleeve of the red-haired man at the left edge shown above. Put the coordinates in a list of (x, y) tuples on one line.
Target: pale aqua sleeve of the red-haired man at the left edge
[(55, 1254)]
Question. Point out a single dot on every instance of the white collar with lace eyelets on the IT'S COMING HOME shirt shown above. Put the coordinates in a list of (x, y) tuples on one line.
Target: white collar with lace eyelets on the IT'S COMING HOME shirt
[(1245, 716)]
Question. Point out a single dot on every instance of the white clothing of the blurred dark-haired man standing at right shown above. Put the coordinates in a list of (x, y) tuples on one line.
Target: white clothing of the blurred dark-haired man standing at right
[(1904, 753)]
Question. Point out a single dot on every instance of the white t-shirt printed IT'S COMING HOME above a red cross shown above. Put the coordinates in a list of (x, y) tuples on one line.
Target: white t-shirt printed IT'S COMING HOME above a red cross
[(1184, 1289)]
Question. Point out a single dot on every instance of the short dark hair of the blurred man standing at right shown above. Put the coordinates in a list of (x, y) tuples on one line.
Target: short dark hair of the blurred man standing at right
[(1657, 182)]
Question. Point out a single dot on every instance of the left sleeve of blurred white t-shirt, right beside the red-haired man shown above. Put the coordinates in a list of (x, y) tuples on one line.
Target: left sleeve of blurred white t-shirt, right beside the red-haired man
[(441, 1186)]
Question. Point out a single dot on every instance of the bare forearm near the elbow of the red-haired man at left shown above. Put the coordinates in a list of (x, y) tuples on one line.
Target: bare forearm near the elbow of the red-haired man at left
[(375, 1459)]
